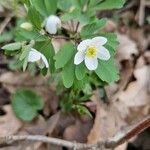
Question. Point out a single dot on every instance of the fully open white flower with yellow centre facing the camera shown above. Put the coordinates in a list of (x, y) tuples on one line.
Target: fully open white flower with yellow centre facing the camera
[(90, 50)]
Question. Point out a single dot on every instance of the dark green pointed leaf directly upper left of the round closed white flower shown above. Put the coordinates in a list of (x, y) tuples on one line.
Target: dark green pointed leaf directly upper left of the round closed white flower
[(34, 17)]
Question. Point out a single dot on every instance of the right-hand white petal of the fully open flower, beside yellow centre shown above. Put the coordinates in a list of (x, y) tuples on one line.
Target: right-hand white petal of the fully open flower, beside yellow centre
[(103, 53)]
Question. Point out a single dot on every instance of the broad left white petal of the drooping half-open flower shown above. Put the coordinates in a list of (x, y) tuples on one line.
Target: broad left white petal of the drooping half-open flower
[(34, 55)]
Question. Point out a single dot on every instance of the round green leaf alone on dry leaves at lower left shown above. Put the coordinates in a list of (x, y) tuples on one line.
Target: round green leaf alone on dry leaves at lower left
[(26, 103)]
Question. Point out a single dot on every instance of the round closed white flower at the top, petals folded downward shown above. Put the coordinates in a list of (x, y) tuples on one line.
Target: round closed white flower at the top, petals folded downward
[(52, 24)]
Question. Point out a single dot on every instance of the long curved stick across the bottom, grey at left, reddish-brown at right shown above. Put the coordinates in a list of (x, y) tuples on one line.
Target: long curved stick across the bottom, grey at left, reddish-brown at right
[(120, 138)]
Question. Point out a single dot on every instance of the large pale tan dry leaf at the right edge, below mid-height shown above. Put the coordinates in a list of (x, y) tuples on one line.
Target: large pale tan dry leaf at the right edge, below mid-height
[(136, 93)]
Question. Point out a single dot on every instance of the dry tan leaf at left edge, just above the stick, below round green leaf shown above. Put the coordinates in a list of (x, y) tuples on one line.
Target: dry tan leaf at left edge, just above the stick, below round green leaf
[(9, 124)]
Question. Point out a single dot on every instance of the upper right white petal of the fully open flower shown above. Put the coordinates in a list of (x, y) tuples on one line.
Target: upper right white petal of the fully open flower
[(99, 41)]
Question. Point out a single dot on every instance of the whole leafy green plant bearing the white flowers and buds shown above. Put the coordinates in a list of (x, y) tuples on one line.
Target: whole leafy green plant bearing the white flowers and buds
[(84, 62)]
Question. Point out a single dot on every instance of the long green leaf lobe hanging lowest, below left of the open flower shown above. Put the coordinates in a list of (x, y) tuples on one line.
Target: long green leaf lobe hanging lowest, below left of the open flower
[(68, 74)]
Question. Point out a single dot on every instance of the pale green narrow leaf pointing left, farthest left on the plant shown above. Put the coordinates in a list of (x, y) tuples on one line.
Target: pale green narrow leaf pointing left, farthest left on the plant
[(12, 46)]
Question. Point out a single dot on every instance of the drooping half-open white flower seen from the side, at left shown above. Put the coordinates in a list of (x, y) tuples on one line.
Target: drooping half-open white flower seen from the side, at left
[(39, 58)]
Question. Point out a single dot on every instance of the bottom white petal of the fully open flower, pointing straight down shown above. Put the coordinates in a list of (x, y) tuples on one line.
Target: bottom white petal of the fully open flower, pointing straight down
[(91, 63)]
